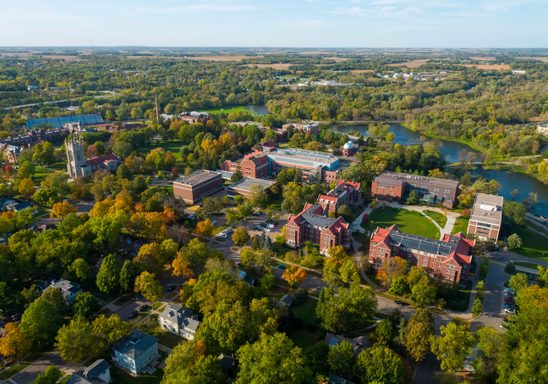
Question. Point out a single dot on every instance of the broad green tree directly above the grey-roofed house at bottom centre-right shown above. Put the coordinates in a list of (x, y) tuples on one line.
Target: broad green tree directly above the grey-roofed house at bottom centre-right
[(342, 309)]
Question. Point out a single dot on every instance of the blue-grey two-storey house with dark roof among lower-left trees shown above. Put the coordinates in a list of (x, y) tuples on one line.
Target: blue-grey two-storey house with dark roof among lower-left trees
[(135, 352)]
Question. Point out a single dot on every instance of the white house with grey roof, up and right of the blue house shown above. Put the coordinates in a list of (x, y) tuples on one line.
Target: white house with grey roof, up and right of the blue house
[(179, 320)]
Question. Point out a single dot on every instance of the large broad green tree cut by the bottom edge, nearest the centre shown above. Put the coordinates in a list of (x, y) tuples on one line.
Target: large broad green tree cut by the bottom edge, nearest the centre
[(272, 359)]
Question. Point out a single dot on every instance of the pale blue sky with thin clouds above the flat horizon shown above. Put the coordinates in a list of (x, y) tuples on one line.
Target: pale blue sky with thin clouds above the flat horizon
[(276, 23)]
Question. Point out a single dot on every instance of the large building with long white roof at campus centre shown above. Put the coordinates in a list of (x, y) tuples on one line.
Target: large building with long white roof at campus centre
[(314, 166)]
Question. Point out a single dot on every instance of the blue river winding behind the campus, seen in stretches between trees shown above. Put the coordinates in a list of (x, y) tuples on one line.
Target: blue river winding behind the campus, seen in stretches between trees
[(455, 152)]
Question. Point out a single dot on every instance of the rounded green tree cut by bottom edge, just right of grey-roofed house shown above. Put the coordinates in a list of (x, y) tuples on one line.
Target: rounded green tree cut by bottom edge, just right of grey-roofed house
[(379, 364)]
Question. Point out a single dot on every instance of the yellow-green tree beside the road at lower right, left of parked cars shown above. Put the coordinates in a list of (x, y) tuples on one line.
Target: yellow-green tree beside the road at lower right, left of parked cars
[(453, 346)]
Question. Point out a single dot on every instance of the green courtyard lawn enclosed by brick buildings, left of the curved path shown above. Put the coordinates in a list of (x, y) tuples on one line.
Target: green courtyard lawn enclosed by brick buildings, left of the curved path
[(407, 221)]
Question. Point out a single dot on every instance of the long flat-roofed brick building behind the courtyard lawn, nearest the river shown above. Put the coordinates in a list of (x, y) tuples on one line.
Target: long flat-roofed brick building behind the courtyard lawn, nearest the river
[(396, 186)]
